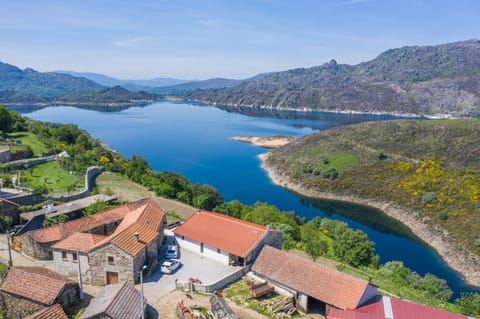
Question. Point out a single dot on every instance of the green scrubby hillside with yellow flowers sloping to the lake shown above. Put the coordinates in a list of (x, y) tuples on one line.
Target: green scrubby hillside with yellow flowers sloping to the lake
[(430, 167)]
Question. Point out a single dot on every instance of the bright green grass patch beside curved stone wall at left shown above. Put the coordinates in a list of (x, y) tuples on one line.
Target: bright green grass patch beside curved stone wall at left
[(51, 175)]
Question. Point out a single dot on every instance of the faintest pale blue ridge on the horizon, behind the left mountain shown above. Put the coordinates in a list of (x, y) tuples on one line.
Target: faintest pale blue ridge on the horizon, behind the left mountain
[(134, 85)]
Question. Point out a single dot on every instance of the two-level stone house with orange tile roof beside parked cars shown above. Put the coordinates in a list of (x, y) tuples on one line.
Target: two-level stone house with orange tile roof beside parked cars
[(119, 256)]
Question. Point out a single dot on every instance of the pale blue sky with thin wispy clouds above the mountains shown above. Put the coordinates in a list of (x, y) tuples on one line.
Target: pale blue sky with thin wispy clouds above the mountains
[(199, 39)]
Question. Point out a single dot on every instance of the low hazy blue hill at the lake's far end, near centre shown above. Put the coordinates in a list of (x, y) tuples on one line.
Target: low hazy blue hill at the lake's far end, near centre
[(186, 88)]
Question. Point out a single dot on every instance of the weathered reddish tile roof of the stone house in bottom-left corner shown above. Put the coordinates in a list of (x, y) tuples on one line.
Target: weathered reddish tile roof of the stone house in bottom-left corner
[(34, 283)]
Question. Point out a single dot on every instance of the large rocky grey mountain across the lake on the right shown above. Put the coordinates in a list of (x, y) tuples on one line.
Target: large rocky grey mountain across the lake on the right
[(428, 80)]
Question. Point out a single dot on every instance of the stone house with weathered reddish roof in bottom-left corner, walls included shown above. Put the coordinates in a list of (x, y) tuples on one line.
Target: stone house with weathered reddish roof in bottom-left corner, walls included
[(26, 290)]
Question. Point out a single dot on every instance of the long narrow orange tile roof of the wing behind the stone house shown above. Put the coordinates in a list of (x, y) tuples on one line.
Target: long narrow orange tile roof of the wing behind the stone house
[(84, 224)]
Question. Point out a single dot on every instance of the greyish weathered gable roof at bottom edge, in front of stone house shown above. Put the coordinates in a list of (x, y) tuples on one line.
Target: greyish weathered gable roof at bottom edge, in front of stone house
[(120, 301)]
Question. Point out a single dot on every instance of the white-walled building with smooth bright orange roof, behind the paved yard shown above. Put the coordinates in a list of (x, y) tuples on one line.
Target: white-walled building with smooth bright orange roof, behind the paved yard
[(226, 239)]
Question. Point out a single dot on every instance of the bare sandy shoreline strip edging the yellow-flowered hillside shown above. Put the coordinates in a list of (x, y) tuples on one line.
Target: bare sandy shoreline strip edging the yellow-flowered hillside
[(459, 259)]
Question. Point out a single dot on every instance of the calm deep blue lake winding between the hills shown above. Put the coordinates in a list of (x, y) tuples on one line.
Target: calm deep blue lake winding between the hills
[(194, 140)]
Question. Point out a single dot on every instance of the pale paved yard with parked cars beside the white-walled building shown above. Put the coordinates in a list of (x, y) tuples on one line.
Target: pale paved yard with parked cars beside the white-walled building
[(194, 265)]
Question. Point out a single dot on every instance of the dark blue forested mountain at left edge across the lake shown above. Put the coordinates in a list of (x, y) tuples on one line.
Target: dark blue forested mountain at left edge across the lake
[(31, 87)]
